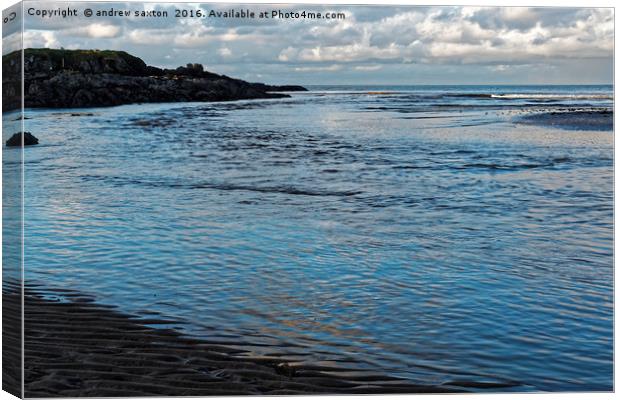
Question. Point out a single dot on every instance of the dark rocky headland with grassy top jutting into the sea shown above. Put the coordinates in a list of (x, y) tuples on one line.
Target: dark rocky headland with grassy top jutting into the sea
[(93, 78)]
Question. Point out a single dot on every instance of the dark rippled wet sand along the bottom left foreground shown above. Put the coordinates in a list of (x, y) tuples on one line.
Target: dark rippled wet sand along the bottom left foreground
[(76, 347)]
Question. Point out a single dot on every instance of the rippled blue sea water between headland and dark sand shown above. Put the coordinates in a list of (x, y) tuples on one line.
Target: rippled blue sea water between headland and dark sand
[(427, 233)]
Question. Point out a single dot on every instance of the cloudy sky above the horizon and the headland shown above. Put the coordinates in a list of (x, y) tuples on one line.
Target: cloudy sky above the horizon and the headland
[(373, 45)]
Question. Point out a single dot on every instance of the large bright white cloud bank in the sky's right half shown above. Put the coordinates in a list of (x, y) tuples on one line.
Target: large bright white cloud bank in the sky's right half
[(454, 35)]
